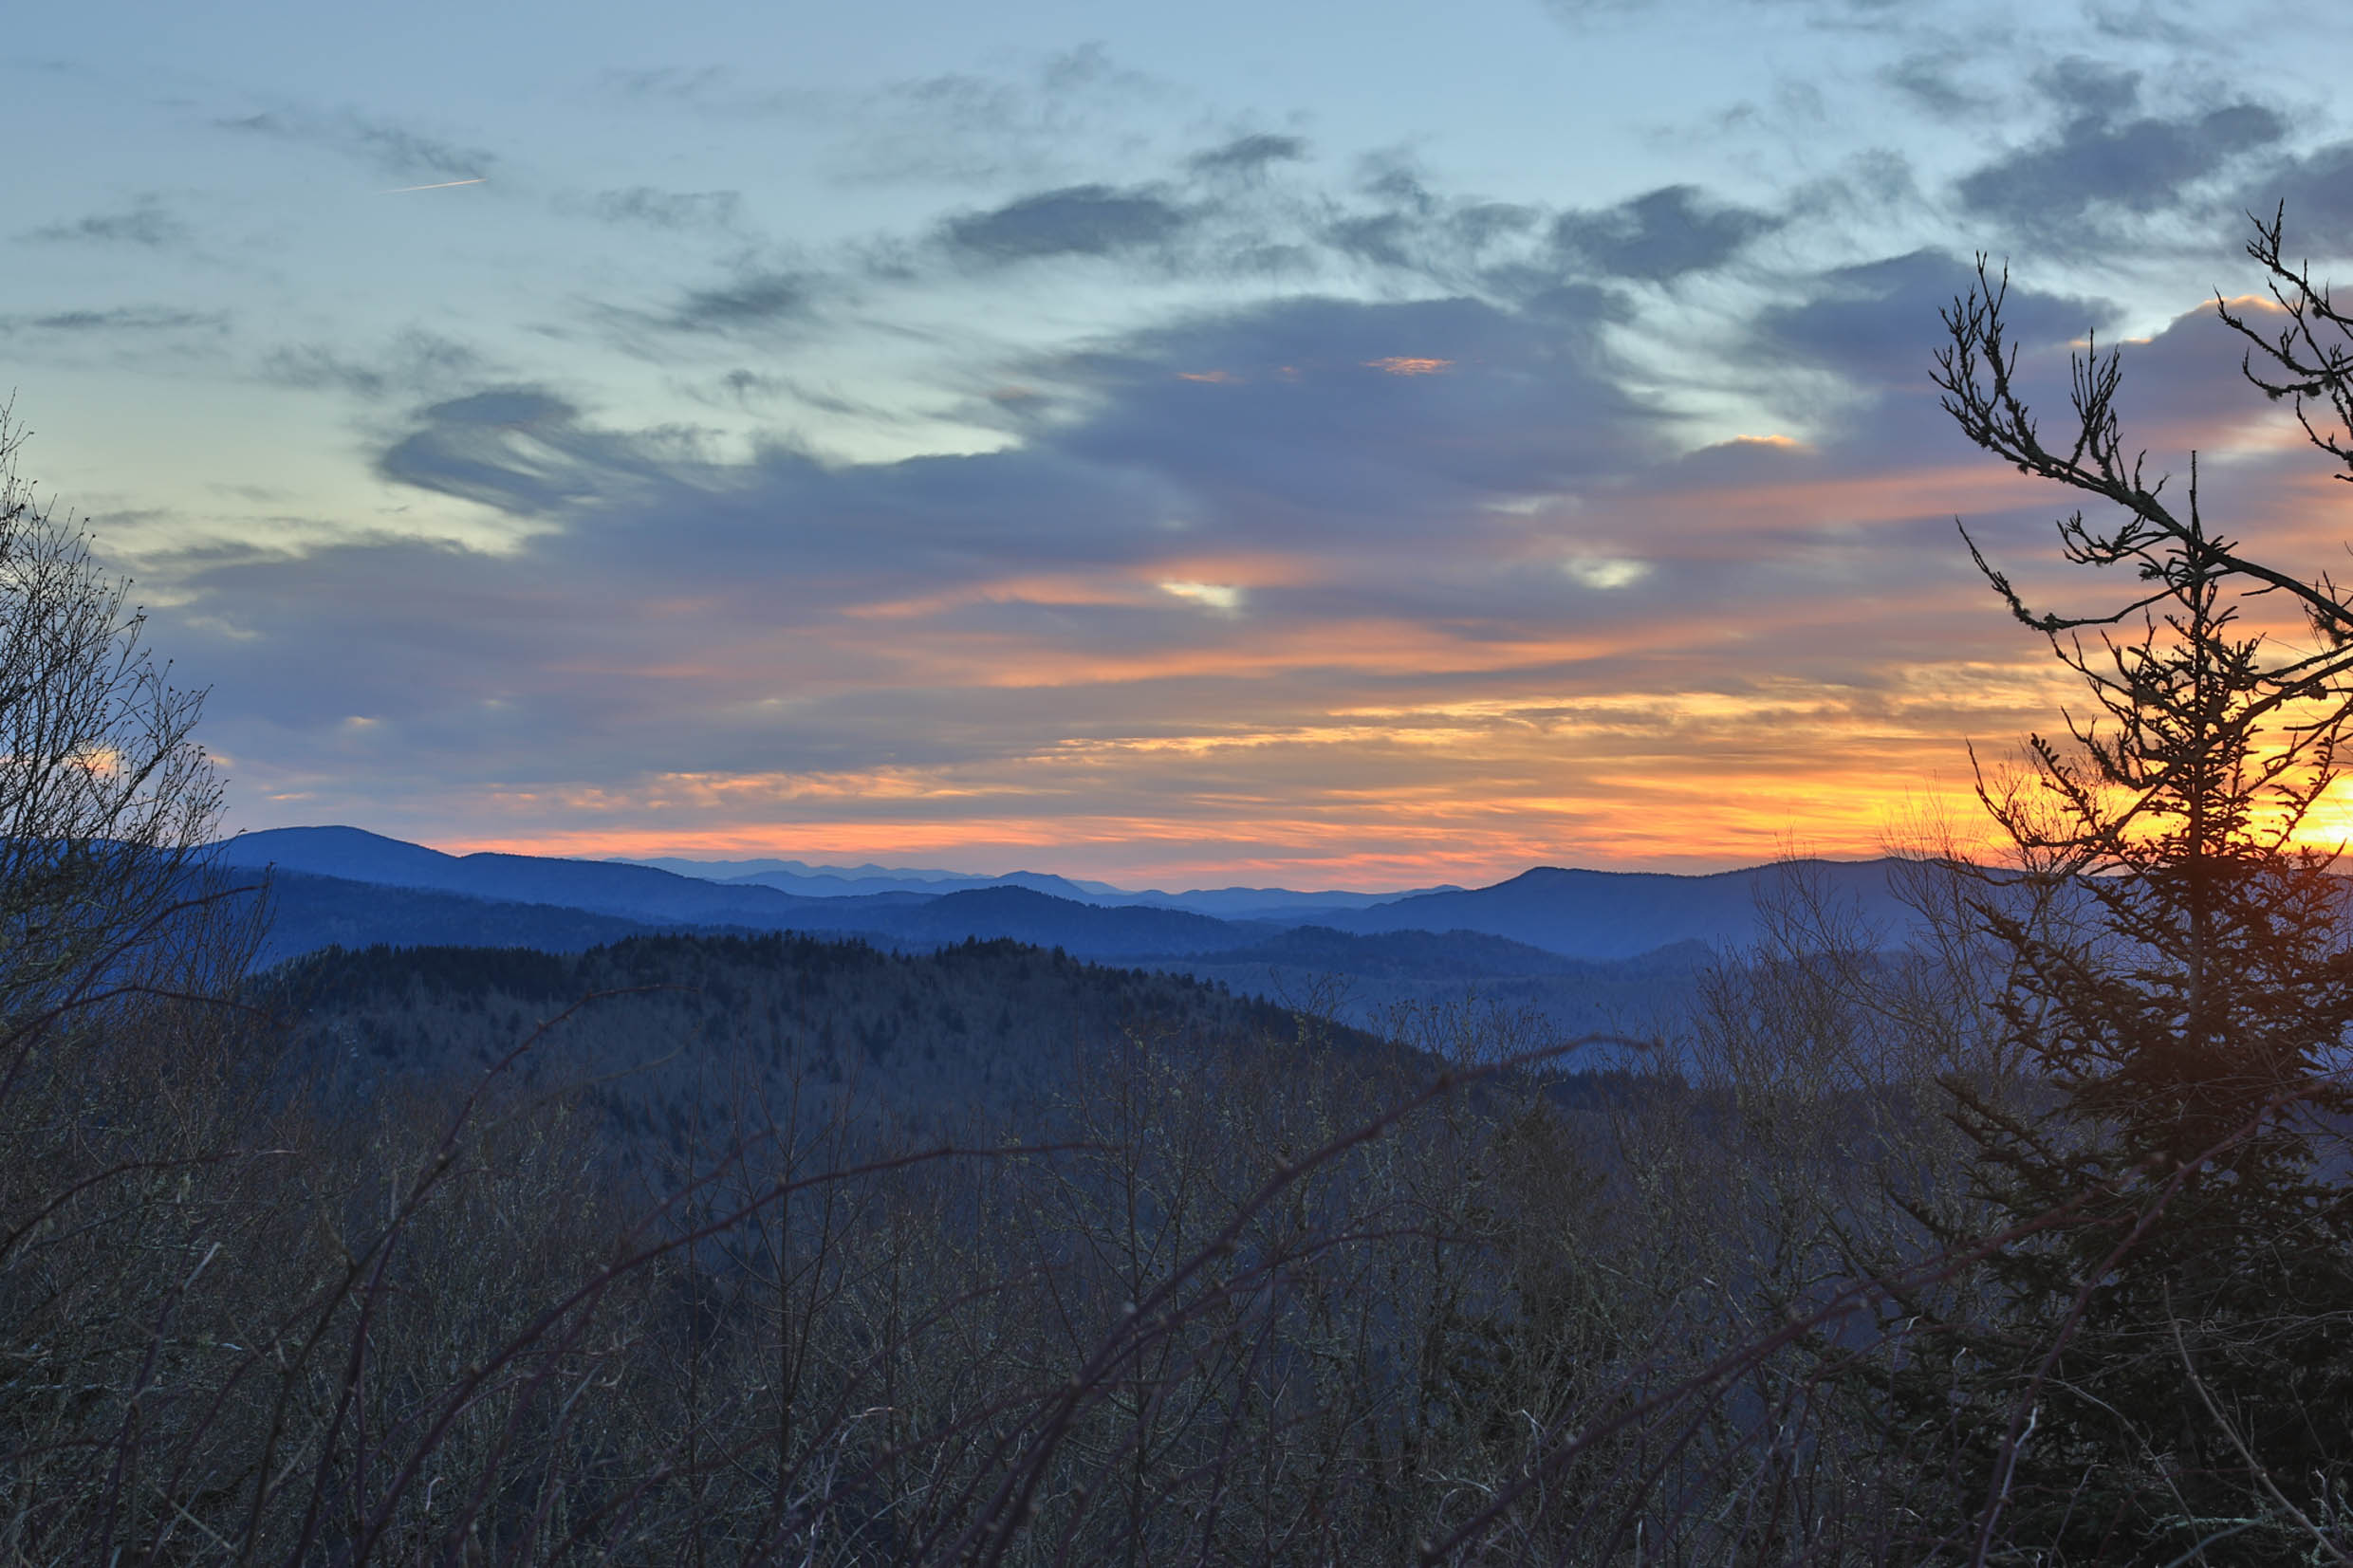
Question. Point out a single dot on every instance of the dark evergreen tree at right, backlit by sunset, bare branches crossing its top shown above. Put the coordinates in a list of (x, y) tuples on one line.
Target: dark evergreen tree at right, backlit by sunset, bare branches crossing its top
[(2171, 1369)]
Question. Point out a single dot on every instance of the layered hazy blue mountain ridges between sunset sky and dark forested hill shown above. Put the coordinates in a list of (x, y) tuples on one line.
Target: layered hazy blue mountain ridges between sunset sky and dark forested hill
[(1575, 946)]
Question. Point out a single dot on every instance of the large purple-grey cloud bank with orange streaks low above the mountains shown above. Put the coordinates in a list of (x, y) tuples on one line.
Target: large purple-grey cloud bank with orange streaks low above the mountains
[(1244, 596)]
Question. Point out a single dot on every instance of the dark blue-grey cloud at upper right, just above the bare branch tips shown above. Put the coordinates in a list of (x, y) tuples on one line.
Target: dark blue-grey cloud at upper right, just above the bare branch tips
[(2100, 161)]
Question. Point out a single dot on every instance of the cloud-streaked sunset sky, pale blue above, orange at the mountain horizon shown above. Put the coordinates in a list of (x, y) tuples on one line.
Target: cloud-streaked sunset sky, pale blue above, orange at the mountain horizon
[(1281, 443)]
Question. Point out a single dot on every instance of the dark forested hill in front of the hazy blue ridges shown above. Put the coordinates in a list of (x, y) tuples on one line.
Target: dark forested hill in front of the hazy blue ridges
[(679, 1033)]
